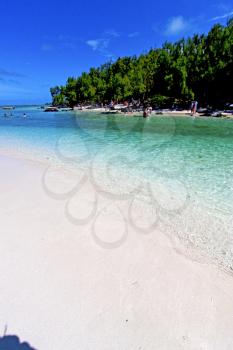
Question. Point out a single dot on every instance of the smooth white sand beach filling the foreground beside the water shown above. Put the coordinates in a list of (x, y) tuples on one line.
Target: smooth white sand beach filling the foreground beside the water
[(65, 285)]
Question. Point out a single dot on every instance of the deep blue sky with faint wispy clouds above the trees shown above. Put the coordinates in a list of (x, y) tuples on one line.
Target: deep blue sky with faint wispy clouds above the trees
[(44, 42)]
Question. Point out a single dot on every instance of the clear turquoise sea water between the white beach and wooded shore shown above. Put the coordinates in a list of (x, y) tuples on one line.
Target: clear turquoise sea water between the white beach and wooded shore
[(187, 163)]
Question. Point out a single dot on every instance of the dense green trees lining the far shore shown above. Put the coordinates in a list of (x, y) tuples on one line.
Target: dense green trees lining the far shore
[(198, 68)]
